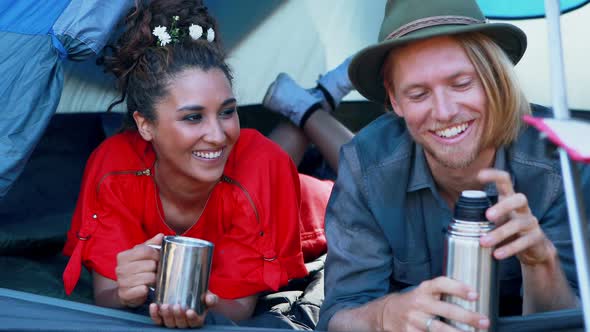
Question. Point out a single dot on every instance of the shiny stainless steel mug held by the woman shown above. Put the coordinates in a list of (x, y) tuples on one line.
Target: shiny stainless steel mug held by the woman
[(183, 272)]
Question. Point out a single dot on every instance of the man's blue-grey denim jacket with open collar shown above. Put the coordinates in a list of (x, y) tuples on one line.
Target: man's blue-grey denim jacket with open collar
[(385, 220)]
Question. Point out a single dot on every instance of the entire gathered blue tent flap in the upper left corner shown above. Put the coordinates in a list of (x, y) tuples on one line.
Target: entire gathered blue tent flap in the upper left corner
[(33, 76)]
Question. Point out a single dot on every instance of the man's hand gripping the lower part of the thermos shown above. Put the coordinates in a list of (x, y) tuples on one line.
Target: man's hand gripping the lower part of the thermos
[(417, 310)]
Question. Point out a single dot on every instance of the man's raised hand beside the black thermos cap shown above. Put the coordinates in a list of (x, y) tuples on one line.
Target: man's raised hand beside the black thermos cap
[(517, 231)]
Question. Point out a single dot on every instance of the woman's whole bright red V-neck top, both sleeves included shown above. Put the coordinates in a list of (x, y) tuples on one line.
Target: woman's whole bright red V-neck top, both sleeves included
[(259, 216)]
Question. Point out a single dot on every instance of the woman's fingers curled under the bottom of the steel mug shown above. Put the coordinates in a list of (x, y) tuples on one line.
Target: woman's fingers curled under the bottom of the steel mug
[(176, 317)]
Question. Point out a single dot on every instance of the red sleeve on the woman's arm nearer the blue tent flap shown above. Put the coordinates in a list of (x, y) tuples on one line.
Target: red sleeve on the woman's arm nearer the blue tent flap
[(106, 221)]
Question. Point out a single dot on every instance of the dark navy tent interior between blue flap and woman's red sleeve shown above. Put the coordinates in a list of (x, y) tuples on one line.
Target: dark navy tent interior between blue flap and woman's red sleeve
[(36, 213)]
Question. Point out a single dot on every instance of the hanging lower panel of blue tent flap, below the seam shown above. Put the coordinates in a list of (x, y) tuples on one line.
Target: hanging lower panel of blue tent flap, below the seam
[(29, 92)]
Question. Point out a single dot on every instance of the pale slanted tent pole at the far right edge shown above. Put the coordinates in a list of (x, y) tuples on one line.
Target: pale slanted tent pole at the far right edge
[(571, 178)]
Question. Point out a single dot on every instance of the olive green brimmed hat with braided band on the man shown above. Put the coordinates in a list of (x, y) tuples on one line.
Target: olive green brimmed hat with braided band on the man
[(412, 20)]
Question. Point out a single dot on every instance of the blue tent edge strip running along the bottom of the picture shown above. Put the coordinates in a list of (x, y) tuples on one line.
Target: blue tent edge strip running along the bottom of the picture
[(22, 311)]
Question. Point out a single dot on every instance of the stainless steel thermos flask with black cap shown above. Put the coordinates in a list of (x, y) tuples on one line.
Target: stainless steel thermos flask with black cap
[(467, 261)]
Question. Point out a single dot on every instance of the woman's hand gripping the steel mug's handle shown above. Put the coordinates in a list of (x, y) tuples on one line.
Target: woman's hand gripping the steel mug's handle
[(136, 271)]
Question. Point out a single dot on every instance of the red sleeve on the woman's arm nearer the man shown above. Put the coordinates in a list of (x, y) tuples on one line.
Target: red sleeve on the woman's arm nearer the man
[(262, 250)]
